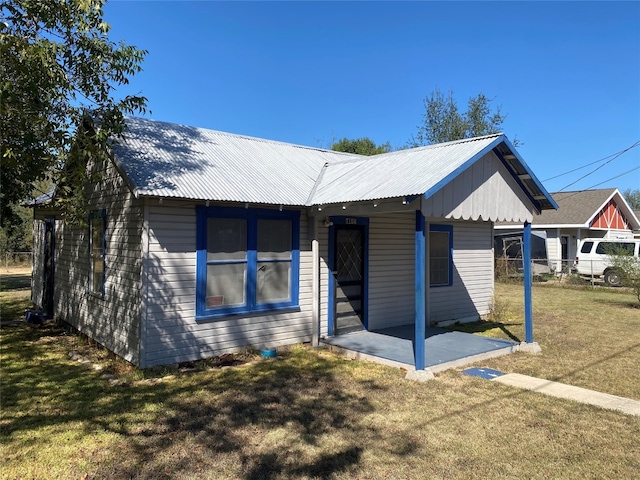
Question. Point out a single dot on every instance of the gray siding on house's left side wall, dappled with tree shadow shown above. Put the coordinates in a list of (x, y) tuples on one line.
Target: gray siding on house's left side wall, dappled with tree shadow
[(115, 320)]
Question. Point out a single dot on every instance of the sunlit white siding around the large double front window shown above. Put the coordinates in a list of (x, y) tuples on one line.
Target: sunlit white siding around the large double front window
[(172, 333)]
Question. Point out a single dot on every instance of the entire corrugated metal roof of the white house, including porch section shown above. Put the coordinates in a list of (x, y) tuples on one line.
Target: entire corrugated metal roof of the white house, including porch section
[(168, 160)]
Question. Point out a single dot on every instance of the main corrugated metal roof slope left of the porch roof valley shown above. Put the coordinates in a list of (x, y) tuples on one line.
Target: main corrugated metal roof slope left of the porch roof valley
[(168, 160)]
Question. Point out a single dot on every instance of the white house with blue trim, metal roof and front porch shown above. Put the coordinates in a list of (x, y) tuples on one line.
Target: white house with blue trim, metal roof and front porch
[(201, 242)]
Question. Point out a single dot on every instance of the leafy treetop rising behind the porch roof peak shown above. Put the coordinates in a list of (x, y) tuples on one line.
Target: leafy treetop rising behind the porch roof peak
[(443, 122)]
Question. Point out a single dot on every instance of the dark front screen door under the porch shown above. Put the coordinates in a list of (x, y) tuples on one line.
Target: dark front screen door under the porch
[(349, 278)]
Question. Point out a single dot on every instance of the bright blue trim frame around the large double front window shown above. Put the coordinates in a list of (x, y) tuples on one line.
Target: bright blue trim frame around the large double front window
[(251, 215)]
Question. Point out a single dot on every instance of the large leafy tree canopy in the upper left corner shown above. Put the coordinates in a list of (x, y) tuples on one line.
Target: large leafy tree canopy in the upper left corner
[(58, 74)]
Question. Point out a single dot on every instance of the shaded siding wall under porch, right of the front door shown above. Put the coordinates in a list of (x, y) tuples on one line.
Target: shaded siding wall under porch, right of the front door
[(392, 272)]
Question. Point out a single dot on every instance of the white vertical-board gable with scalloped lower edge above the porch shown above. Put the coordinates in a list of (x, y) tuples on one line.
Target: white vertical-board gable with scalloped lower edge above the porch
[(484, 191)]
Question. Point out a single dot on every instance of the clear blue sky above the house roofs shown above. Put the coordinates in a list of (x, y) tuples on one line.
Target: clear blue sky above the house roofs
[(566, 73)]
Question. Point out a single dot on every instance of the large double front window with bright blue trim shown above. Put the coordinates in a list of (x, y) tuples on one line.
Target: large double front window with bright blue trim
[(248, 261)]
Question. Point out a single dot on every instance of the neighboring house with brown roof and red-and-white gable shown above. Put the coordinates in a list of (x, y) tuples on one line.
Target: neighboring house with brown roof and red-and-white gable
[(602, 213)]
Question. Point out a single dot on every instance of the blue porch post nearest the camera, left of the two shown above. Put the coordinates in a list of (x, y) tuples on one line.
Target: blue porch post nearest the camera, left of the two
[(420, 283)]
